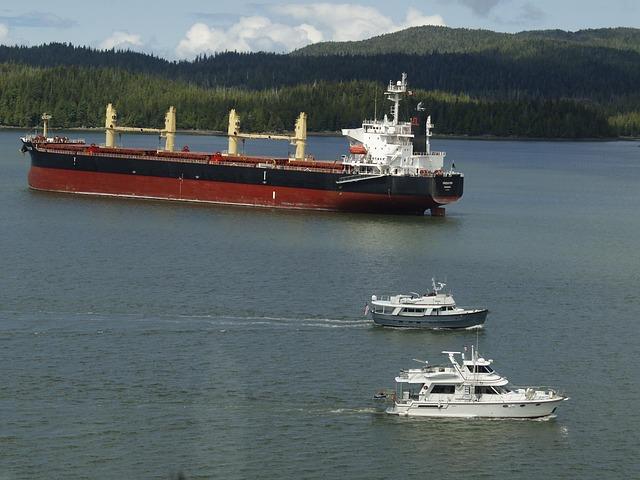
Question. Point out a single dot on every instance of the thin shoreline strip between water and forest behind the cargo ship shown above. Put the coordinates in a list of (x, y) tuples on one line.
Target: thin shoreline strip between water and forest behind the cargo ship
[(488, 137)]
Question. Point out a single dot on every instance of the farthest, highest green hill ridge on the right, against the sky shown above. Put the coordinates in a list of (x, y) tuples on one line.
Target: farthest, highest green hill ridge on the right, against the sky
[(429, 39)]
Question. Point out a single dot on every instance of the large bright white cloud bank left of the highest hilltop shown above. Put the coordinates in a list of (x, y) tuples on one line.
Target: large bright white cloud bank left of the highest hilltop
[(310, 24)]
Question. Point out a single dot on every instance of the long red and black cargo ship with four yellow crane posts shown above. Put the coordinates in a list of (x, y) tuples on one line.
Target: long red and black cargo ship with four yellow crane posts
[(389, 167)]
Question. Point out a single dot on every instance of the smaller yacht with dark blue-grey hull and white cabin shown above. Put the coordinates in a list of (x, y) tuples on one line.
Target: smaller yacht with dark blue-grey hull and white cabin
[(431, 310)]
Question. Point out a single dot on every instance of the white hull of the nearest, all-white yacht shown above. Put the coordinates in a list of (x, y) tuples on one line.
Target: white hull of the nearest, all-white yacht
[(457, 409)]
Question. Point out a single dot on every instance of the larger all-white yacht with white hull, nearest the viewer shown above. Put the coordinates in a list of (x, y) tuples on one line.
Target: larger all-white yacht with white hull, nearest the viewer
[(469, 388)]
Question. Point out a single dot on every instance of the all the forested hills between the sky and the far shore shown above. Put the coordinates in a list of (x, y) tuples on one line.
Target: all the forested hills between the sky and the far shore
[(474, 82)]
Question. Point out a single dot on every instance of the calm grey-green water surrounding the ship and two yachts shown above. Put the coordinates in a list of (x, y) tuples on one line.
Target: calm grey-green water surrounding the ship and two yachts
[(144, 339)]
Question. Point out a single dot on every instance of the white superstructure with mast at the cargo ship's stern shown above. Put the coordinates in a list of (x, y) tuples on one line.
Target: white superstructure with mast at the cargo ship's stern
[(385, 146)]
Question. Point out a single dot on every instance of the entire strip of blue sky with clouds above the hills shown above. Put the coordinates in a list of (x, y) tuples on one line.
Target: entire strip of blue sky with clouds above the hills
[(185, 28)]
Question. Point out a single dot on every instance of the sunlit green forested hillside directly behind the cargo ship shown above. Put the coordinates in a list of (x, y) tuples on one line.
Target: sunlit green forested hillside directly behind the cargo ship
[(76, 96)]
